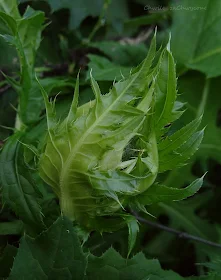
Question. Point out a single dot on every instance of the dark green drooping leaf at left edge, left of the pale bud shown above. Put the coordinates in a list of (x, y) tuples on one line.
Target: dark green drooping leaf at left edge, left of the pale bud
[(18, 187)]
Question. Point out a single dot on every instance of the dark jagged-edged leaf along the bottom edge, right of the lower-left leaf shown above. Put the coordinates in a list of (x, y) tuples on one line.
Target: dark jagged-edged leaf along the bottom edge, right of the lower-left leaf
[(112, 266)]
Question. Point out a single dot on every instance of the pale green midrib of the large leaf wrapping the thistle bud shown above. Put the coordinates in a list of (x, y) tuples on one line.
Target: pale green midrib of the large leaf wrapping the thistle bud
[(80, 143)]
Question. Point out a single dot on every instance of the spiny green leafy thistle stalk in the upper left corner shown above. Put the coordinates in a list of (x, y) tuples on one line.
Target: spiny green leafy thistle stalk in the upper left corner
[(25, 34)]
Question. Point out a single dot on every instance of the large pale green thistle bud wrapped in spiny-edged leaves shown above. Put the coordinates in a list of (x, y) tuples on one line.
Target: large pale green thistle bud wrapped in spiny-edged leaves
[(105, 156)]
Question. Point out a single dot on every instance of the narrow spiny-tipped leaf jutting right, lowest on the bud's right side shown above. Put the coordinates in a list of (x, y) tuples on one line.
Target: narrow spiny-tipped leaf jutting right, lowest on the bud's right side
[(160, 193)]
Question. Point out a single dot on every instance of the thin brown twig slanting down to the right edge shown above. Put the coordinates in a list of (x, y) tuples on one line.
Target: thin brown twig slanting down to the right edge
[(180, 234)]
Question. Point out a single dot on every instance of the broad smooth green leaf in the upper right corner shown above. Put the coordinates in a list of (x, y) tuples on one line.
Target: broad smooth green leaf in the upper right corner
[(199, 47)]
